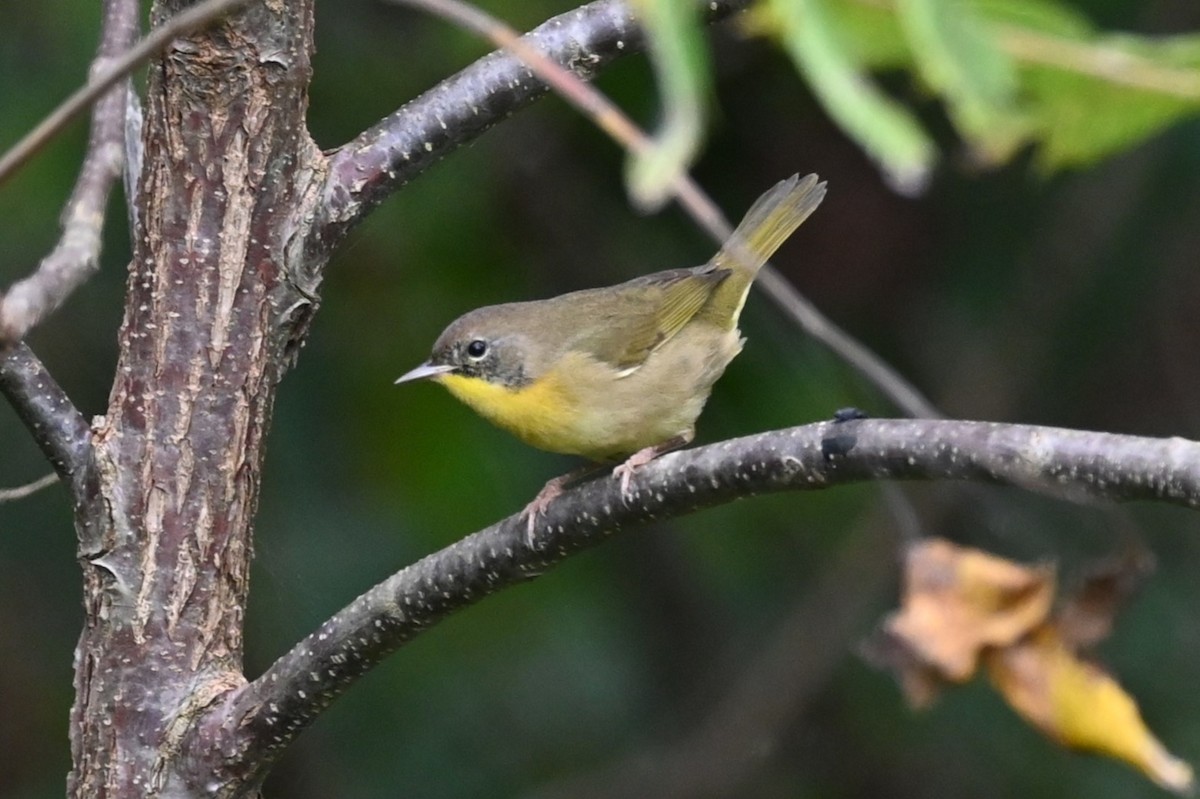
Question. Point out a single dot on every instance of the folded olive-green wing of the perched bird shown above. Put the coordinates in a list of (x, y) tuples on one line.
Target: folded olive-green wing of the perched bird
[(646, 313)]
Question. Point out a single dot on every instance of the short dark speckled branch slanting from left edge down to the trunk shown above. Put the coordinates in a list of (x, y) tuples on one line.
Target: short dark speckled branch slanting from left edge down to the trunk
[(59, 430)]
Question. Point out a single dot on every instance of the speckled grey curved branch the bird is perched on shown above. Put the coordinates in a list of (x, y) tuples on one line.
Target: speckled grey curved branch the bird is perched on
[(253, 724)]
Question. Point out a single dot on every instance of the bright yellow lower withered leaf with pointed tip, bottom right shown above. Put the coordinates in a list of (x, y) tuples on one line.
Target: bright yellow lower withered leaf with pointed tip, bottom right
[(1079, 706)]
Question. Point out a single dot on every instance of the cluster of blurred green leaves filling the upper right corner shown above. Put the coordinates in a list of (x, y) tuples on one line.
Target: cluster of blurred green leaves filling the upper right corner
[(1011, 73)]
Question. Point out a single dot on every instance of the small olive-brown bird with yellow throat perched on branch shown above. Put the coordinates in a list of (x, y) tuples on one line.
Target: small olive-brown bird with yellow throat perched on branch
[(617, 371)]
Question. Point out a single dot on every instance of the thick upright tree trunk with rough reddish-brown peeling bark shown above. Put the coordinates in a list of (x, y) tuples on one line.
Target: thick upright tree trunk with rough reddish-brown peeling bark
[(211, 314)]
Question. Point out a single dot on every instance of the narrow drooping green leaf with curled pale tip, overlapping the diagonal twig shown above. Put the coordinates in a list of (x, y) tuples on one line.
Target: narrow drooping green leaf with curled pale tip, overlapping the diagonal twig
[(681, 64)]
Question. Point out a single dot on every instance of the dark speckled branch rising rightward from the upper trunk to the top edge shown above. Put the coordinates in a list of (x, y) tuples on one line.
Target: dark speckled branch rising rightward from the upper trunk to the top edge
[(364, 172)]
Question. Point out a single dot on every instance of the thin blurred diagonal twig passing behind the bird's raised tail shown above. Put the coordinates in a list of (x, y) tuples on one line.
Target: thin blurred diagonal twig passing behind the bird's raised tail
[(695, 202)]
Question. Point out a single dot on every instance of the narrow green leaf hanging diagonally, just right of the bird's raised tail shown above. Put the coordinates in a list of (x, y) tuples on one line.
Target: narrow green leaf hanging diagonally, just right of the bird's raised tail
[(881, 127)]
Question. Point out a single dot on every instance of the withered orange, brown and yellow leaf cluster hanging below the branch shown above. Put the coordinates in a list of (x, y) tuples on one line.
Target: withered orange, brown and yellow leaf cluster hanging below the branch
[(963, 605)]
